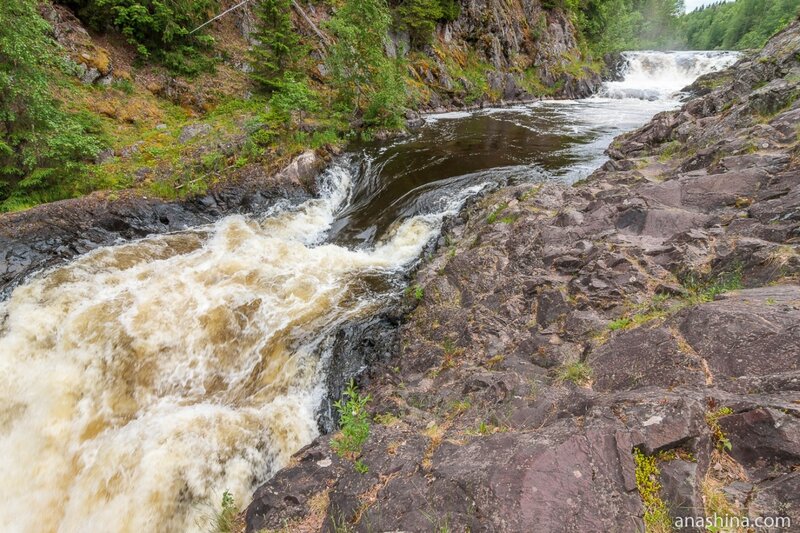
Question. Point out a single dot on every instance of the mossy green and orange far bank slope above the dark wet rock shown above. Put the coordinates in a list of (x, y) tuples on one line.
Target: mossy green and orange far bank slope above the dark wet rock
[(163, 132)]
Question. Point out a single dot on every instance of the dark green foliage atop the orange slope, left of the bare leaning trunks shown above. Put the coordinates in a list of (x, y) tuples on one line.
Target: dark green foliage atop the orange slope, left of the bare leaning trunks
[(156, 28)]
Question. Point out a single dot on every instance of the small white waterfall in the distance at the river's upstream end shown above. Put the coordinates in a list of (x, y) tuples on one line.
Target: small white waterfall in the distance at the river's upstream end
[(649, 75)]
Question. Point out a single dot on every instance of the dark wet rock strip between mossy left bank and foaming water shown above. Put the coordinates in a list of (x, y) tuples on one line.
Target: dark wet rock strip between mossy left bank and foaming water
[(52, 233)]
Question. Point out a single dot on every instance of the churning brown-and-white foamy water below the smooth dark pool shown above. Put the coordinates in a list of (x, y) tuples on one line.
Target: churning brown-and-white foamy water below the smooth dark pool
[(141, 381)]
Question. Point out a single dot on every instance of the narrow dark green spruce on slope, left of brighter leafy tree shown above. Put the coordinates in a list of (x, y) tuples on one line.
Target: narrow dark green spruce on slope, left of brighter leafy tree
[(278, 48)]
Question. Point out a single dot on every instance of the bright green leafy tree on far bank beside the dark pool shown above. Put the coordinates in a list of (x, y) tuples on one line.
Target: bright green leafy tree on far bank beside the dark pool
[(367, 83)]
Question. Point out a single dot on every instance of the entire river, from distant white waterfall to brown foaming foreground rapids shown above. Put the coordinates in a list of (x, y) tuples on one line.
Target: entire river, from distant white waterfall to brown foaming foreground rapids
[(140, 381)]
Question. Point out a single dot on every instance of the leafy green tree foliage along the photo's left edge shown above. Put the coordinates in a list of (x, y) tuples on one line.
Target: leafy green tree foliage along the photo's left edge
[(43, 149)]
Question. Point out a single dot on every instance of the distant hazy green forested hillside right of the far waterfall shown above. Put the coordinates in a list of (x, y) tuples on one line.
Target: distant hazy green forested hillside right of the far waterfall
[(737, 25)]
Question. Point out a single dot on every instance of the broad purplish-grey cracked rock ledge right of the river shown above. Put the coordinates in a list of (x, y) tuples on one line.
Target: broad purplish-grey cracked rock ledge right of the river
[(600, 357)]
